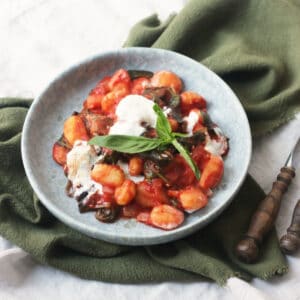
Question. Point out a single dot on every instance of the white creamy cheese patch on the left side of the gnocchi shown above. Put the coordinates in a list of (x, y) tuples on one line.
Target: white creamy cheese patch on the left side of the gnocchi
[(79, 162)]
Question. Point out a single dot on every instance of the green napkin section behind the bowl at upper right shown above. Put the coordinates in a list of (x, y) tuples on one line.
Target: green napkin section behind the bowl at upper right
[(253, 45)]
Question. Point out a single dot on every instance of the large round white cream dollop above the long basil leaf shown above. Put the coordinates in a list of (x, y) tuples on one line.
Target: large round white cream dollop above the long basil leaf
[(131, 112)]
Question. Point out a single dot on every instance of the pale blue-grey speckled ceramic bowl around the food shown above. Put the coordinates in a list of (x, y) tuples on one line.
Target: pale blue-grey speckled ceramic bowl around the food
[(66, 93)]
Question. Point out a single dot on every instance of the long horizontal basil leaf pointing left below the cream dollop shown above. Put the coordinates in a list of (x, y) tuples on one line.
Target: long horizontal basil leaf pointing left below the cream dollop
[(126, 143)]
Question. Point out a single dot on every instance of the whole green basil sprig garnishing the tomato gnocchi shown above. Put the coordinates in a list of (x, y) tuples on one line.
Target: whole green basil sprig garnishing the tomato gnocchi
[(138, 144)]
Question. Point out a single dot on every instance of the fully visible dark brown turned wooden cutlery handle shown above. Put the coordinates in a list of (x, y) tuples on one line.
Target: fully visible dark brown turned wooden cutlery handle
[(263, 219)]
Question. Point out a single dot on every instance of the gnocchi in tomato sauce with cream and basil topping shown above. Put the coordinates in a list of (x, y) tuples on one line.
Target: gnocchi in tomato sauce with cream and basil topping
[(142, 148)]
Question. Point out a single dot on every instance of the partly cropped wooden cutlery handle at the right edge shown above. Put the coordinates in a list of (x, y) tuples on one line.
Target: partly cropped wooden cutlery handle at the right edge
[(290, 242)]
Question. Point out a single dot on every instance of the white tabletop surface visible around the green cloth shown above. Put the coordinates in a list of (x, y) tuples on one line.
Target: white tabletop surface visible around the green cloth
[(39, 39)]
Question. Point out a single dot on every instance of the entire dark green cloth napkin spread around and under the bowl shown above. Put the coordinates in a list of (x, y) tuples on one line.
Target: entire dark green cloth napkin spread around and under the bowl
[(253, 46)]
